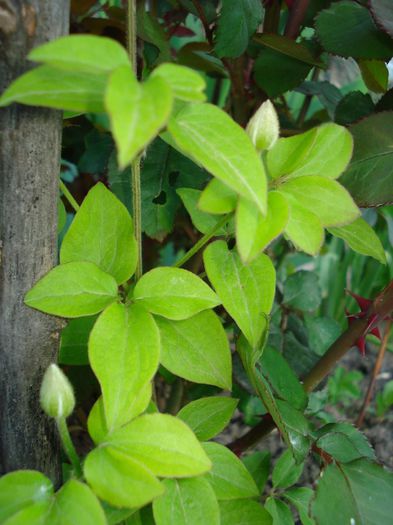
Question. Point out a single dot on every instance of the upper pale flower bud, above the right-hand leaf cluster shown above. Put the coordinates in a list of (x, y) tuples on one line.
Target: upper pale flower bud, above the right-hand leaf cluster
[(264, 128)]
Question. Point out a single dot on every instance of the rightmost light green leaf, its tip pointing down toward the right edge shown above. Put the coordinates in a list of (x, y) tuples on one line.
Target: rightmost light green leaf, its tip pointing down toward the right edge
[(361, 238)]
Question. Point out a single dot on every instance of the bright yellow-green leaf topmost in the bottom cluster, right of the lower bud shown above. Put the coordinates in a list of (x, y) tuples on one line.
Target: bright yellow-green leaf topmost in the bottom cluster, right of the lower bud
[(164, 444)]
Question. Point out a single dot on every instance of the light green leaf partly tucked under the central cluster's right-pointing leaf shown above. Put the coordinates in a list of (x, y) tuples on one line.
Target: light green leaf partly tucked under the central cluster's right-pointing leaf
[(197, 349)]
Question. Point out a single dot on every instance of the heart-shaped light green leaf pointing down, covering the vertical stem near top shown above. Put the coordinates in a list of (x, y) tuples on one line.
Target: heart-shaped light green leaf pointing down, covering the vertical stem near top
[(137, 111)]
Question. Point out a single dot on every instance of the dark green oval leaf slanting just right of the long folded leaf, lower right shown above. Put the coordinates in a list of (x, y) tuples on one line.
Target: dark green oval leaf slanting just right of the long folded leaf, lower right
[(282, 378)]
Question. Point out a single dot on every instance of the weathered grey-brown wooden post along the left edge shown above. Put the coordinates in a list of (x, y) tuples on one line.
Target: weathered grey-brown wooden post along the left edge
[(30, 143)]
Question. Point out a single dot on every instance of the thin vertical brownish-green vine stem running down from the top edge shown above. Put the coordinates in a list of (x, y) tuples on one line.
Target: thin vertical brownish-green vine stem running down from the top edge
[(135, 166)]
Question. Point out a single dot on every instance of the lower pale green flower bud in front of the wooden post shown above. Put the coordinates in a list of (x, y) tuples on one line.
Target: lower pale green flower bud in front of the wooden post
[(56, 394)]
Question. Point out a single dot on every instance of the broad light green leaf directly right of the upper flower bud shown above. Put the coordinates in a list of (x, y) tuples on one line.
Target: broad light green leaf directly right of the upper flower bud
[(324, 151)]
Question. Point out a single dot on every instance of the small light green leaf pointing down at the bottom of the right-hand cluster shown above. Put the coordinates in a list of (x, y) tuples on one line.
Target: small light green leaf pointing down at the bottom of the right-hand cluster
[(304, 229)]
